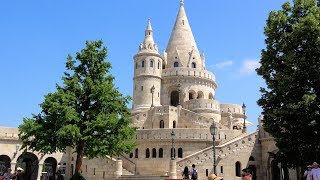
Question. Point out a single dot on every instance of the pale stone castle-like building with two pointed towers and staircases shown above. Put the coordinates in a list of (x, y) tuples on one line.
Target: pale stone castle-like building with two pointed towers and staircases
[(173, 93)]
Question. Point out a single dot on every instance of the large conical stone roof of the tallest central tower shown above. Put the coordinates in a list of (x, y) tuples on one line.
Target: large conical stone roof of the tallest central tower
[(181, 38)]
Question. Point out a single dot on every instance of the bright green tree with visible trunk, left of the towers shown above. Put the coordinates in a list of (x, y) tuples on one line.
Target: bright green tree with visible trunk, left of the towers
[(86, 113)]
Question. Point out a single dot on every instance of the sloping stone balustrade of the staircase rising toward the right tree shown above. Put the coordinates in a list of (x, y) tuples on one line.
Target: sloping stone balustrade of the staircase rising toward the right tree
[(222, 150)]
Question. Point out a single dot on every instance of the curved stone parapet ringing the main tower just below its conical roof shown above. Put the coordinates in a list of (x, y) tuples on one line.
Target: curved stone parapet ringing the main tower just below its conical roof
[(188, 72)]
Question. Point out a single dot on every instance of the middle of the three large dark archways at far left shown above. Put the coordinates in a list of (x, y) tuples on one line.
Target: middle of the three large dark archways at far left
[(30, 163)]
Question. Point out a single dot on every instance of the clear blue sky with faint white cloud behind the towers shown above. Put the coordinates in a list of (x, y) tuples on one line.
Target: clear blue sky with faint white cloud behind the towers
[(36, 37)]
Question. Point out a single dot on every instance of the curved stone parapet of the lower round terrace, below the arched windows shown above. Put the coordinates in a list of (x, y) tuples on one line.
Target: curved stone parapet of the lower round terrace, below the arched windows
[(196, 104)]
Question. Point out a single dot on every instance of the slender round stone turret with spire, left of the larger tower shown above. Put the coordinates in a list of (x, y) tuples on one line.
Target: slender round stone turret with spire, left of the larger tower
[(147, 74)]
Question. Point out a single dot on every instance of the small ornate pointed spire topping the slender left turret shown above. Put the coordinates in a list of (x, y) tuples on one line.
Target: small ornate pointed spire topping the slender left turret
[(148, 44)]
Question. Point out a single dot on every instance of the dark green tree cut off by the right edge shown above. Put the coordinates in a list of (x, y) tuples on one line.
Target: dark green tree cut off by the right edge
[(290, 65)]
